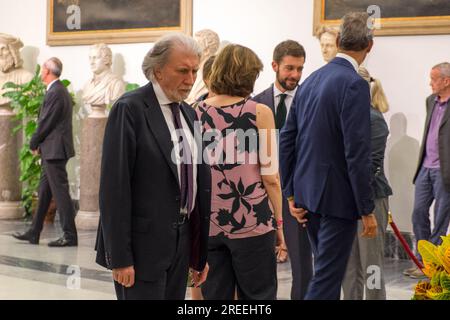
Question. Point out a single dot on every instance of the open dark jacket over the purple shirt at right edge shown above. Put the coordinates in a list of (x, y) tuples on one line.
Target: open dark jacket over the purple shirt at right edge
[(443, 140)]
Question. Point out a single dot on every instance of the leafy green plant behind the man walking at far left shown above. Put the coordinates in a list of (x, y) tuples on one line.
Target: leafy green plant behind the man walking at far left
[(26, 101)]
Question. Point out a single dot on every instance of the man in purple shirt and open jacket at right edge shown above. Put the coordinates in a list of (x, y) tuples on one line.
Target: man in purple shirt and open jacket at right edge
[(432, 178)]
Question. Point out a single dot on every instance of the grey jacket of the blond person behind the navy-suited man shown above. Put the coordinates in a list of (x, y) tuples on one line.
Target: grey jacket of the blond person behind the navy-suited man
[(379, 133)]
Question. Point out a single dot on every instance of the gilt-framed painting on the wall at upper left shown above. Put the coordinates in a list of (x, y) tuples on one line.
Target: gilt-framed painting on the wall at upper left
[(83, 22)]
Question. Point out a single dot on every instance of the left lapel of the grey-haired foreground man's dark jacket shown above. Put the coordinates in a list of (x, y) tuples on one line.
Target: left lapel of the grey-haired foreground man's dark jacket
[(158, 126)]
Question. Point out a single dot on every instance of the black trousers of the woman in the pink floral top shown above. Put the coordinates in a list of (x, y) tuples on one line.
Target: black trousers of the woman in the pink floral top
[(247, 264)]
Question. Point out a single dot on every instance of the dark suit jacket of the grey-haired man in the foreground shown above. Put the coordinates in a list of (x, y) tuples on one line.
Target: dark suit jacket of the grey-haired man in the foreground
[(140, 194)]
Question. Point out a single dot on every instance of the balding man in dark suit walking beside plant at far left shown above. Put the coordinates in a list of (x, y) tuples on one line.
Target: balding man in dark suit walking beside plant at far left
[(53, 140)]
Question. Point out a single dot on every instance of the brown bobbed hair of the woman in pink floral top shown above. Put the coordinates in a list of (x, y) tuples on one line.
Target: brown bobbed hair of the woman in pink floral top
[(234, 71)]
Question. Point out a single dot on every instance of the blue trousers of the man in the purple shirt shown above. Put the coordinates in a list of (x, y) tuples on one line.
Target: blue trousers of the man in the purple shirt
[(429, 188)]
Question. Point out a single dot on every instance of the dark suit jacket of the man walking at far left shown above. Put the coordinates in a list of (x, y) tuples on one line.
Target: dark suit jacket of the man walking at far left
[(53, 135)]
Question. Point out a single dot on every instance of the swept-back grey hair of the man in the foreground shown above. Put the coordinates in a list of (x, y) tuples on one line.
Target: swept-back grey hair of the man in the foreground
[(158, 56)]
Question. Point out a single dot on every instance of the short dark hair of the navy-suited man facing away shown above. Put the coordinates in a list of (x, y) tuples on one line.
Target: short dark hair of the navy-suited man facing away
[(354, 34)]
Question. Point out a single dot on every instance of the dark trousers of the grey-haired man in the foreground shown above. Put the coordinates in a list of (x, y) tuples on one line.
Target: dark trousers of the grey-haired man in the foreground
[(172, 283)]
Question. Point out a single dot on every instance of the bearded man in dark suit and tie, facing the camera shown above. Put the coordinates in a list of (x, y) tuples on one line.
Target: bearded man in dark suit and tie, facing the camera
[(288, 61)]
